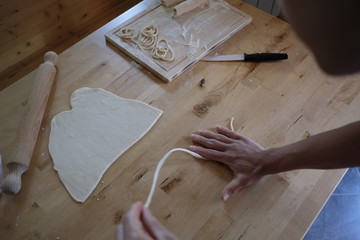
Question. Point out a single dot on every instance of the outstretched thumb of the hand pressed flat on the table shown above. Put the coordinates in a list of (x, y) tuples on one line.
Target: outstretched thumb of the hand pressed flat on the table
[(240, 181)]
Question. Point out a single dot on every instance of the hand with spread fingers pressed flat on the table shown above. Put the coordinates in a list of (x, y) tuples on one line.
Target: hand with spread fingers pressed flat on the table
[(241, 154)]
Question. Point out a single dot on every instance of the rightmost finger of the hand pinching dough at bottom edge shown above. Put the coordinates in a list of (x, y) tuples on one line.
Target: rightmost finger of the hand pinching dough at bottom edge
[(154, 227)]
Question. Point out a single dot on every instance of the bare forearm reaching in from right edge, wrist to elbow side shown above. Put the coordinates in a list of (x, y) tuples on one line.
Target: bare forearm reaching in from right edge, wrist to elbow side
[(338, 148)]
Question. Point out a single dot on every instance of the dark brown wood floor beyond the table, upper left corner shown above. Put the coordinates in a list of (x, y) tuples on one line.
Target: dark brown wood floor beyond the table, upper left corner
[(29, 28)]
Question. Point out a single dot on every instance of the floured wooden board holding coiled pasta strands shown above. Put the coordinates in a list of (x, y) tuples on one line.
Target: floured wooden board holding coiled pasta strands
[(191, 36)]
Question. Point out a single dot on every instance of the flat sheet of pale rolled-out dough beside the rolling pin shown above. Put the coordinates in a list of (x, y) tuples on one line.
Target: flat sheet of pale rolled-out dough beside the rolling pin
[(86, 140)]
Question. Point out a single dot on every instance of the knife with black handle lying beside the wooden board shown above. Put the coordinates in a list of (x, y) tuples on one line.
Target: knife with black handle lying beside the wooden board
[(256, 57)]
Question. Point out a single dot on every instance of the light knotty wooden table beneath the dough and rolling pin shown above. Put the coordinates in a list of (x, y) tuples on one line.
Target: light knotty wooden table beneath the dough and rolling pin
[(273, 103)]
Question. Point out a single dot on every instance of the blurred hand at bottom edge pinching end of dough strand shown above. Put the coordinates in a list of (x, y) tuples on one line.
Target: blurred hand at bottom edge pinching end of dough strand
[(140, 224)]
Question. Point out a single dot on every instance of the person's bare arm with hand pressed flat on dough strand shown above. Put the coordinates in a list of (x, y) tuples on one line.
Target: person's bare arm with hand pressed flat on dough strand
[(338, 148)]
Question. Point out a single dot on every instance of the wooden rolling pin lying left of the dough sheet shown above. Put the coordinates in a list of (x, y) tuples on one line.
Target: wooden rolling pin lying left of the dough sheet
[(30, 123)]
